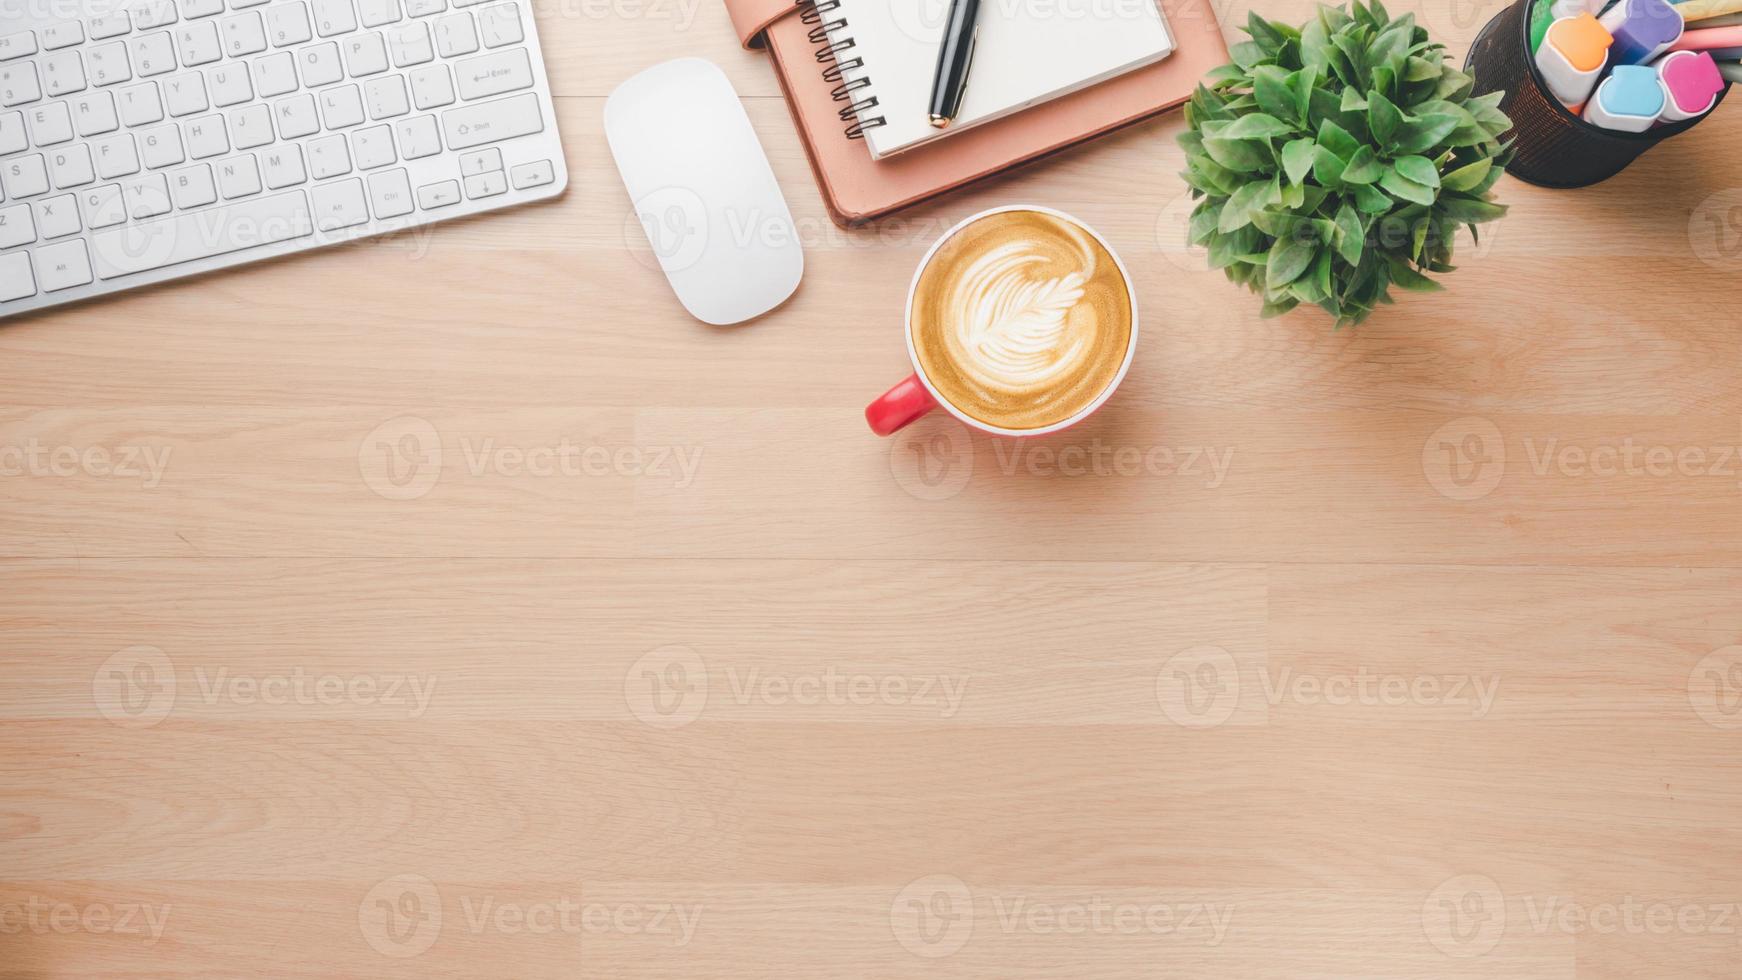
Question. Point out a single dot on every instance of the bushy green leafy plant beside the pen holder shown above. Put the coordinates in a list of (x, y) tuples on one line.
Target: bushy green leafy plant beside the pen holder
[(1339, 161)]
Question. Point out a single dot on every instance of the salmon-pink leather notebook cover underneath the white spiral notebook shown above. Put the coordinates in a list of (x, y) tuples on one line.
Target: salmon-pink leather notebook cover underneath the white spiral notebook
[(860, 189)]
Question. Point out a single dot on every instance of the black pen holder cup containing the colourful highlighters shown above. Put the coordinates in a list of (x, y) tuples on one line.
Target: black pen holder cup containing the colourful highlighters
[(1555, 147)]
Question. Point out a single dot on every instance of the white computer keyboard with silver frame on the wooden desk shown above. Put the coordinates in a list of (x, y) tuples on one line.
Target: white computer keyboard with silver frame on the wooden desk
[(154, 140)]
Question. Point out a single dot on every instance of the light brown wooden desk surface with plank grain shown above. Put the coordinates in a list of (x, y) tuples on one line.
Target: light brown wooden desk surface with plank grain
[(456, 607)]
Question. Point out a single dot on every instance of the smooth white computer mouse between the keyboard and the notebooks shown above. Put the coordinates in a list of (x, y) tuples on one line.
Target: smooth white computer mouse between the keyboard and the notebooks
[(703, 191)]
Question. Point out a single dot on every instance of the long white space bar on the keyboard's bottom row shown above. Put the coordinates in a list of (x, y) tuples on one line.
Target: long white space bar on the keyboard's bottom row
[(144, 246)]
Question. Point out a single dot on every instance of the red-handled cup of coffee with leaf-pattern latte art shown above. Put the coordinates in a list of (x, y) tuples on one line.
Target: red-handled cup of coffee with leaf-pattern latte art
[(1022, 321)]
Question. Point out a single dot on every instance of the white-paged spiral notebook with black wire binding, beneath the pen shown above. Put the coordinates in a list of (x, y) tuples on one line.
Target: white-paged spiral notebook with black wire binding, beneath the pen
[(1025, 55)]
